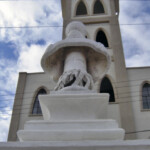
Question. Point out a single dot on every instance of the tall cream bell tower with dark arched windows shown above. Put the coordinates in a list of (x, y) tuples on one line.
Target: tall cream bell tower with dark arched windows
[(101, 20)]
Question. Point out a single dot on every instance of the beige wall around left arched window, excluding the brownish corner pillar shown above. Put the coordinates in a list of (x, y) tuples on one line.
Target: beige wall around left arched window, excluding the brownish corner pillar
[(33, 83)]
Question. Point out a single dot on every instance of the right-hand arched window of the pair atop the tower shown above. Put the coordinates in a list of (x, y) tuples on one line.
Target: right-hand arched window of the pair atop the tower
[(98, 7)]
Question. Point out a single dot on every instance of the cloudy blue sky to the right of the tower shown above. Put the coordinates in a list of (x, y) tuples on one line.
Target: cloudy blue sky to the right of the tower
[(135, 37)]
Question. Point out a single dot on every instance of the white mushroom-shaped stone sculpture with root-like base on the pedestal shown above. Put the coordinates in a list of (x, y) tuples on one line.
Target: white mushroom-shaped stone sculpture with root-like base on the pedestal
[(76, 62)]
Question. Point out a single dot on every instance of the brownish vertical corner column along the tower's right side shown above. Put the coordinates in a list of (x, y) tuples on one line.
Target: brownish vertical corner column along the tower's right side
[(122, 82)]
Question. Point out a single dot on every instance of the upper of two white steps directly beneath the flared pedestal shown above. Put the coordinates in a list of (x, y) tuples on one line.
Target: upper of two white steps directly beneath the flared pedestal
[(71, 125)]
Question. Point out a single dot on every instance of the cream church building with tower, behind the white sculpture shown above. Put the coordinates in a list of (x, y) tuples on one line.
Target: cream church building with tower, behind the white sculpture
[(129, 88)]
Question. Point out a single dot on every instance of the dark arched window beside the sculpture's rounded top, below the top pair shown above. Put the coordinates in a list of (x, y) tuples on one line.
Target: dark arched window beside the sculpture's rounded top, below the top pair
[(101, 37)]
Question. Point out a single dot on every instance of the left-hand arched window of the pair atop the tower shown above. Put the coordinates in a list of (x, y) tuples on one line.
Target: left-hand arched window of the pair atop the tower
[(81, 9)]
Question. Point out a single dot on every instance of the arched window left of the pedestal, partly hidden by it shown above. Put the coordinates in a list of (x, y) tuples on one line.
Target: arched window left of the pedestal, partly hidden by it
[(36, 107)]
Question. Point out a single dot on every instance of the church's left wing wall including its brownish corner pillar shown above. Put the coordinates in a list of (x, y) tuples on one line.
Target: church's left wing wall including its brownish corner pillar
[(29, 83)]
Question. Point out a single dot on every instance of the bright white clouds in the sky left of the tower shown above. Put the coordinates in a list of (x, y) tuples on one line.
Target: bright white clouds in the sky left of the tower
[(27, 48)]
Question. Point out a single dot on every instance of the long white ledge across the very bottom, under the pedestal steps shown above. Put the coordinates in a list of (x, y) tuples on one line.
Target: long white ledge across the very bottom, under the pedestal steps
[(82, 145)]
